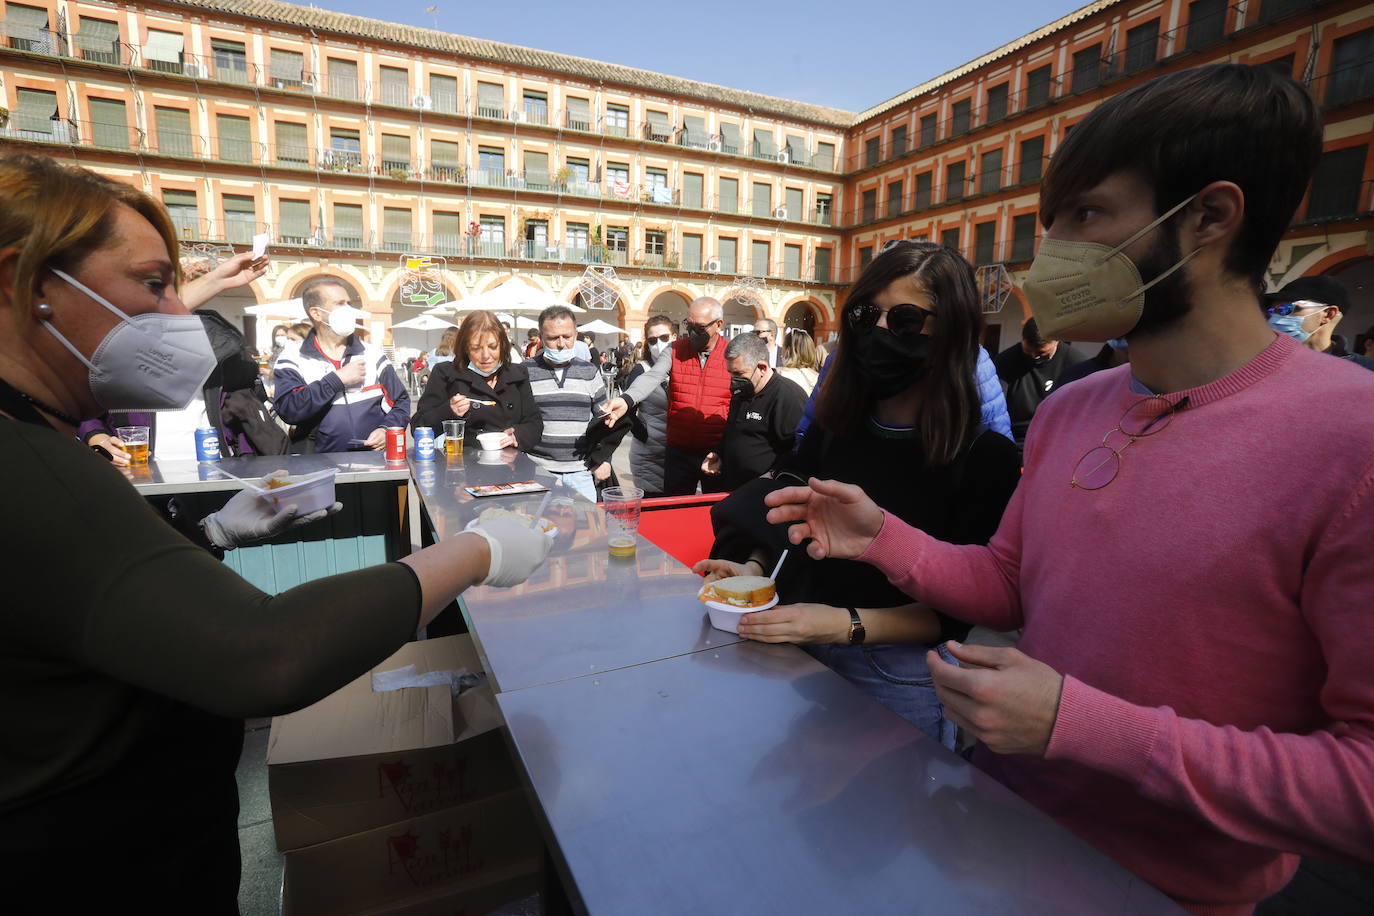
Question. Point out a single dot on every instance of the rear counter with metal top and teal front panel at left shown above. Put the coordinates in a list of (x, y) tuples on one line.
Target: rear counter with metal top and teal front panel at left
[(373, 528)]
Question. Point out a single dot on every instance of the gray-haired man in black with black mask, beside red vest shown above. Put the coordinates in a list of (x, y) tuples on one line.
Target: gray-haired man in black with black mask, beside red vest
[(765, 411)]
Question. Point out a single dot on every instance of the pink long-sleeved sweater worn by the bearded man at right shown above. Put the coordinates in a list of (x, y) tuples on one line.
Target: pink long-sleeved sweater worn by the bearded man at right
[(1213, 615)]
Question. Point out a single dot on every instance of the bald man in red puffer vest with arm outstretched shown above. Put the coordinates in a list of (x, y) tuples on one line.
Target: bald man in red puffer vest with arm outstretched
[(699, 398)]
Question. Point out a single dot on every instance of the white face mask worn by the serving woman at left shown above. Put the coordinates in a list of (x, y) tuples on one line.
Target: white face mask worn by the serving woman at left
[(150, 362)]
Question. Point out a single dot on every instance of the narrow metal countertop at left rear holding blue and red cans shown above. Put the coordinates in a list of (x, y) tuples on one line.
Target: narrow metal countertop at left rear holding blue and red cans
[(163, 479)]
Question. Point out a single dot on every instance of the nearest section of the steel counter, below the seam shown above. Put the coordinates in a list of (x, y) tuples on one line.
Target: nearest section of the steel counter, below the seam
[(751, 779)]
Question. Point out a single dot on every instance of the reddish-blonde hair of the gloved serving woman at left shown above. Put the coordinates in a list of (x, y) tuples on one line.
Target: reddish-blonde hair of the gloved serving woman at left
[(58, 215)]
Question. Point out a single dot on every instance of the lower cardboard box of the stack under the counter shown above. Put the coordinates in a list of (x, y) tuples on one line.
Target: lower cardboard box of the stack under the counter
[(454, 849)]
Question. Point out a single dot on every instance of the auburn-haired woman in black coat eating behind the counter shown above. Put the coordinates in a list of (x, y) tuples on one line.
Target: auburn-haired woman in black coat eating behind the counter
[(482, 387)]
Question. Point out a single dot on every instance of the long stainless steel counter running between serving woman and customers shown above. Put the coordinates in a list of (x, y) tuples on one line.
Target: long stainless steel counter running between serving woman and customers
[(679, 770)]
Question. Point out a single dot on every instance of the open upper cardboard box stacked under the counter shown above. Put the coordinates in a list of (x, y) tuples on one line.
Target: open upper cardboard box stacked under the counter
[(362, 759)]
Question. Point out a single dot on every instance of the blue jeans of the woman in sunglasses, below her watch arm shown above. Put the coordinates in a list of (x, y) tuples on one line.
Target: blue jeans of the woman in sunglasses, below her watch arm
[(898, 678)]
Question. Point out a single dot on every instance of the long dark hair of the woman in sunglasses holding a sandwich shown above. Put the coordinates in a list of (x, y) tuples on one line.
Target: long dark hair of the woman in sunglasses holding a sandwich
[(949, 409)]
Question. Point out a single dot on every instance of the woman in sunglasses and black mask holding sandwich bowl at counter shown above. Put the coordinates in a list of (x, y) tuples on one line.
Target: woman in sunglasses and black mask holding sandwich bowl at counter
[(898, 415)]
